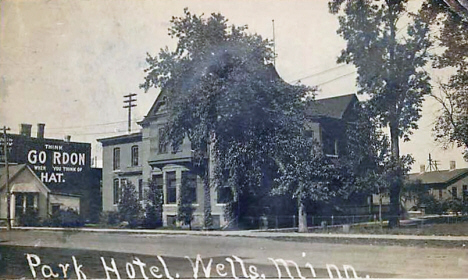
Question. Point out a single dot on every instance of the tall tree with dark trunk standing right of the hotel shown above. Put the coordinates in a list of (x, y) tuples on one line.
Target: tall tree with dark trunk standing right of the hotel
[(389, 64)]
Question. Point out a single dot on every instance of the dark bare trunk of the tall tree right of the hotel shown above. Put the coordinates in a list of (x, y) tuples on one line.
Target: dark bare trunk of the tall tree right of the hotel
[(396, 180)]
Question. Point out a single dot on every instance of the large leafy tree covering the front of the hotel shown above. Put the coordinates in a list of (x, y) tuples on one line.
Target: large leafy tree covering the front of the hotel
[(225, 96)]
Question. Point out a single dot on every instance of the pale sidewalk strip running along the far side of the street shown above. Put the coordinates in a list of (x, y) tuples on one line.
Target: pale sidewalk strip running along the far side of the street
[(253, 233)]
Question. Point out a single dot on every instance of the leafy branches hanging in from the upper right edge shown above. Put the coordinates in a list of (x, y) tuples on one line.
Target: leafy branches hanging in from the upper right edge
[(450, 21)]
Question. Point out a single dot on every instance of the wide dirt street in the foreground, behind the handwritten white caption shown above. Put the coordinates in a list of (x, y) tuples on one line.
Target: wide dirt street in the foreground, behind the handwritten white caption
[(375, 261)]
